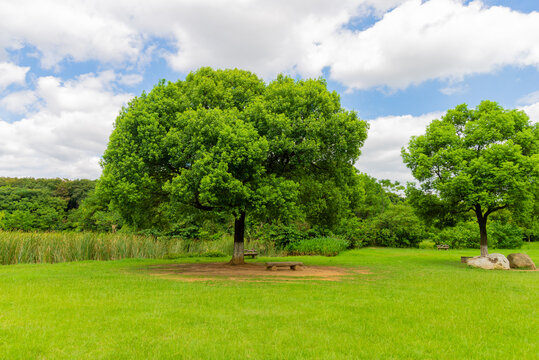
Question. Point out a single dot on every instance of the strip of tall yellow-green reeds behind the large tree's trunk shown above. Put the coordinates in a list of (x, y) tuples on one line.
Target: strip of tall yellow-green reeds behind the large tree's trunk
[(53, 247)]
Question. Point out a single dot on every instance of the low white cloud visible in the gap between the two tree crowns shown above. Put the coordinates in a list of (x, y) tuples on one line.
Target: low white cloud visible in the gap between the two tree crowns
[(380, 156)]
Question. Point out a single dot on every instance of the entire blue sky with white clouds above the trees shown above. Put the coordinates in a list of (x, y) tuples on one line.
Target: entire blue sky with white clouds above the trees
[(67, 67)]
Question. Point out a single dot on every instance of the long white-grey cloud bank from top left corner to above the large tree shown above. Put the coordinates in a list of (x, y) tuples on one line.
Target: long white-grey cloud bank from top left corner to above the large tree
[(263, 36)]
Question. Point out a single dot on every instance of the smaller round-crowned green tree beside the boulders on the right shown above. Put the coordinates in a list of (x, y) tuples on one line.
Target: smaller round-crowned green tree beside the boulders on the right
[(479, 160)]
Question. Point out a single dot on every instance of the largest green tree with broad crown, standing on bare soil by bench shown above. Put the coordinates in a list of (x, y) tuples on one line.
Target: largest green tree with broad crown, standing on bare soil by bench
[(224, 141)]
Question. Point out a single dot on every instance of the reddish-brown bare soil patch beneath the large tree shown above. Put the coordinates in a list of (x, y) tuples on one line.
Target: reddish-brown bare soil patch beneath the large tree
[(250, 272)]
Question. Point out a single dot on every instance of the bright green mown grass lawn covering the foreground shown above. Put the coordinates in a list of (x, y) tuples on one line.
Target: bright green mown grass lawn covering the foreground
[(414, 304)]
